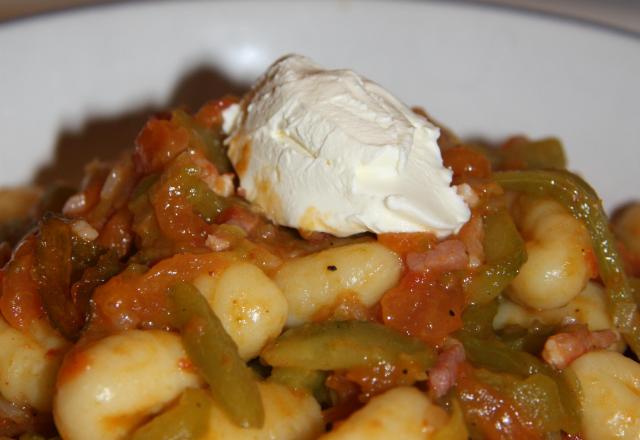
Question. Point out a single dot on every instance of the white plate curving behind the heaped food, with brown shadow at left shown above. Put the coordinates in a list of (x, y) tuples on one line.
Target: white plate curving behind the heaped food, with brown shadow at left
[(69, 80)]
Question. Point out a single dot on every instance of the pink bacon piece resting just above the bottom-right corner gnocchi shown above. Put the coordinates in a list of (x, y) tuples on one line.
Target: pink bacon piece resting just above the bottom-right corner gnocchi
[(563, 348)]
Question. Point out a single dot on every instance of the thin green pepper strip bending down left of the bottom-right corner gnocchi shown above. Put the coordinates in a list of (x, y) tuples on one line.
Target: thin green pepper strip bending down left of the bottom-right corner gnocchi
[(495, 356)]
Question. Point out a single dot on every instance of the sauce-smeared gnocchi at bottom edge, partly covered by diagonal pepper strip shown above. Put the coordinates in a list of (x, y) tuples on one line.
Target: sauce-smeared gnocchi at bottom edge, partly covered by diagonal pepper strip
[(289, 415)]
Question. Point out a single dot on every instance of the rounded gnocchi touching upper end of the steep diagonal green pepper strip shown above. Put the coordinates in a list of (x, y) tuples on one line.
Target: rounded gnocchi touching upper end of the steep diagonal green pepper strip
[(249, 304)]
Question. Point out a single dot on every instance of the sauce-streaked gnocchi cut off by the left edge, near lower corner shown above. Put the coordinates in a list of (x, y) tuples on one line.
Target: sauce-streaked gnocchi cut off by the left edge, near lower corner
[(29, 364)]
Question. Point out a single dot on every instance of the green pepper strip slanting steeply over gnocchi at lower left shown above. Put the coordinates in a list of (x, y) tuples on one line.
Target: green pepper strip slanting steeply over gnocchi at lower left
[(215, 355)]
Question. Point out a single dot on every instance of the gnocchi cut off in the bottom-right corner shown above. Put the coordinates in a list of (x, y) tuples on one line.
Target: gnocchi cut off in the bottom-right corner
[(611, 395)]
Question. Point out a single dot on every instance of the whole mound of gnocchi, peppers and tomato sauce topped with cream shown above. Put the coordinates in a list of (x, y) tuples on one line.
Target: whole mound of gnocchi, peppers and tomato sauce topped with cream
[(316, 260)]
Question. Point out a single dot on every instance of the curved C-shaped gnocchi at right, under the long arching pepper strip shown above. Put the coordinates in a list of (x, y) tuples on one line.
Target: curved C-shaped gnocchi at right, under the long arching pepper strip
[(556, 270)]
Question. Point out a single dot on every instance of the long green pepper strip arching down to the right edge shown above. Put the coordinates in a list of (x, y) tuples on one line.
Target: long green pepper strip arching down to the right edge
[(583, 202)]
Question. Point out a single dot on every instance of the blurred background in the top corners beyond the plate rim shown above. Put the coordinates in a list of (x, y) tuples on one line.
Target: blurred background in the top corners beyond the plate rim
[(621, 14)]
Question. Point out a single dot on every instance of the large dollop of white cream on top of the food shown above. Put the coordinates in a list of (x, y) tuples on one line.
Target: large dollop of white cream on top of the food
[(328, 150)]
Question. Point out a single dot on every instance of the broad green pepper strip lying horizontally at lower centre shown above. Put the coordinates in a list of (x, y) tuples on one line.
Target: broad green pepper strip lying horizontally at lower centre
[(335, 345)]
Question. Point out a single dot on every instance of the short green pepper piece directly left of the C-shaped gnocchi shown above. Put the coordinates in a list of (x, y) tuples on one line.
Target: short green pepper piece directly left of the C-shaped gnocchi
[(505, 253)]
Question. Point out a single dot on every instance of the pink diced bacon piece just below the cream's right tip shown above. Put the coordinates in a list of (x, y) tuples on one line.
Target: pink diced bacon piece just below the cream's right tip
[(445, 256)]
